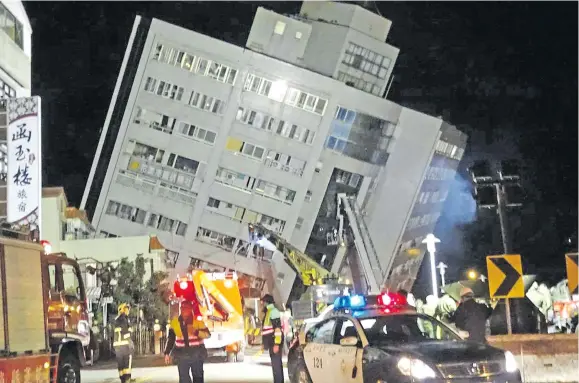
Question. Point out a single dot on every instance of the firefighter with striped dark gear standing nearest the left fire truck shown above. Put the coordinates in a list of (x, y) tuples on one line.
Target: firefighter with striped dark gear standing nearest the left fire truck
[(123, 343)]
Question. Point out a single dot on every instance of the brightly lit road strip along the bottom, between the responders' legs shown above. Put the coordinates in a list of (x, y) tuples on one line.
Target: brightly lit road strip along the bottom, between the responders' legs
[(246, 372)]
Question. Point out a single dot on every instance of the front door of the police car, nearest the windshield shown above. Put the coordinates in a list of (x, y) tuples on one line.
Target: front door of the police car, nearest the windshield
[(348, 360)]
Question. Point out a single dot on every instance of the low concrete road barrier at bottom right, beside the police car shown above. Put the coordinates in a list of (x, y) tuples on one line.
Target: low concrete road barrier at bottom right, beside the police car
[(543, 358)]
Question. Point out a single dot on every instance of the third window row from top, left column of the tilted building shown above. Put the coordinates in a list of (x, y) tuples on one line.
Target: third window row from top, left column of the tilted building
[(166, 124)]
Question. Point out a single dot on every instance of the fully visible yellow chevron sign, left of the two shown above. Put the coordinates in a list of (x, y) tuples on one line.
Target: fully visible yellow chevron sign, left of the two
[(505, 273)]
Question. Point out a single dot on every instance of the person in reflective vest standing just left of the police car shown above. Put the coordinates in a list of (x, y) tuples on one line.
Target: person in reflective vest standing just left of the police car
[(272, 337)]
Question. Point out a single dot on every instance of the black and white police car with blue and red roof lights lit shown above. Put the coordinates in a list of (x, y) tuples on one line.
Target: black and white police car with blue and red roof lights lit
[(380, 338)]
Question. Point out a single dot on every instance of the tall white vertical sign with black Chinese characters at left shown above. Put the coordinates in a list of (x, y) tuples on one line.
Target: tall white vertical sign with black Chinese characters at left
[(24, 176)]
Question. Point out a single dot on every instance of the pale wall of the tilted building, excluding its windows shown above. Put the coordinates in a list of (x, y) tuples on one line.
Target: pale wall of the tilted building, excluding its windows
[(391, 191)]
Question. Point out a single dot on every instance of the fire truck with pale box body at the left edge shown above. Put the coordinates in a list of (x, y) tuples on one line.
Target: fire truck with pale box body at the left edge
[(43, 315)]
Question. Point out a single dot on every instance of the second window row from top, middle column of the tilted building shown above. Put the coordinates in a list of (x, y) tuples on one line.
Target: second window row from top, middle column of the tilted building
[(280, 127)]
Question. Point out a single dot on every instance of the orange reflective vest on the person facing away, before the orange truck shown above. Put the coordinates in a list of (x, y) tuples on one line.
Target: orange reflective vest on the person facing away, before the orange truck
[(183, 335)]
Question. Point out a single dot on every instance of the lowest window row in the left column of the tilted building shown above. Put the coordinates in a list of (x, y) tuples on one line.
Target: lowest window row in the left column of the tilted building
[(140, 216)]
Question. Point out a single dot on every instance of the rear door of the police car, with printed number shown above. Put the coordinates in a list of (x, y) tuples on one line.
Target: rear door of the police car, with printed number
[(319, 350)]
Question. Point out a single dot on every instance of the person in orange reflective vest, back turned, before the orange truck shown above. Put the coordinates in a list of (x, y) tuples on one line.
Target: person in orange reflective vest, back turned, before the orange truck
[(185, 343)]
